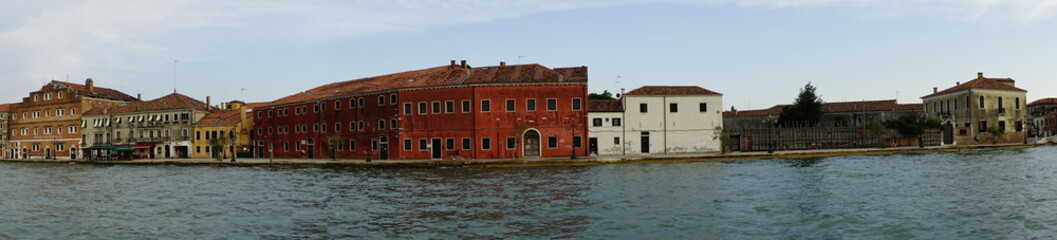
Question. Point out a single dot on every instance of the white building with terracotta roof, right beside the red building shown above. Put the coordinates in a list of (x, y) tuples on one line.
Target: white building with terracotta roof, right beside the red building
[(657, 121)]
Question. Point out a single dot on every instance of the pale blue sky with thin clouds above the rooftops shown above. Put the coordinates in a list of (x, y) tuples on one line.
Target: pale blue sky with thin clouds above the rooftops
[(758, 53)]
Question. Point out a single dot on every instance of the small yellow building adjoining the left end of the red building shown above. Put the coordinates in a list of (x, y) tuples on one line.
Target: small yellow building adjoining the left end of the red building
[(225, 125)]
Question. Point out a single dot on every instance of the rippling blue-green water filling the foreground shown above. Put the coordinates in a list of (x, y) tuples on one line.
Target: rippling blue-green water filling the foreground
[(973, 195)]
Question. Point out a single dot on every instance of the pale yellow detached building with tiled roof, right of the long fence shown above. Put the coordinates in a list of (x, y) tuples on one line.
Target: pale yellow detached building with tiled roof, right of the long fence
[(968, 110)]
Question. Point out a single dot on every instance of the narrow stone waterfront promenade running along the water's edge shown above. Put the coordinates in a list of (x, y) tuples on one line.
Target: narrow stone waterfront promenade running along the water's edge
[(531, 162)]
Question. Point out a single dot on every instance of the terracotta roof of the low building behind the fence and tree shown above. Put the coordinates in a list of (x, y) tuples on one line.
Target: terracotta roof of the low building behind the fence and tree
[(863, 106)]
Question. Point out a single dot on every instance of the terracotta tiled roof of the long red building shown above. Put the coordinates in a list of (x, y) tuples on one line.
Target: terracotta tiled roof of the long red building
[(440, 77)]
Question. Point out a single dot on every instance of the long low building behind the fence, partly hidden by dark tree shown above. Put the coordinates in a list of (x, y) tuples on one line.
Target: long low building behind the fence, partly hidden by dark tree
[(840, 114)]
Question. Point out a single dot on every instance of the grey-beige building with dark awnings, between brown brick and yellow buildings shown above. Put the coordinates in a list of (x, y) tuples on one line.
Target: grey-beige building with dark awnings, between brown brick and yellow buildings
[(156, 130)]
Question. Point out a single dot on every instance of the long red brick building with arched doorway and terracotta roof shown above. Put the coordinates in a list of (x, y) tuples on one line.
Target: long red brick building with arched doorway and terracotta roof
[(444, 113)]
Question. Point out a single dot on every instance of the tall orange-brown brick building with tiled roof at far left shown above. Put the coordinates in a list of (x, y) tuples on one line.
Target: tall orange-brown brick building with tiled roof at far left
[(47, 124)]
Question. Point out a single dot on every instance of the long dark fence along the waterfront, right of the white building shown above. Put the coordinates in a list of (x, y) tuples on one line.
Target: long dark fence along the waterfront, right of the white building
[(824, 138)]
